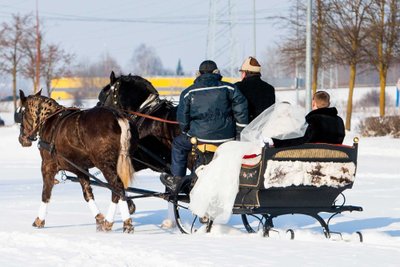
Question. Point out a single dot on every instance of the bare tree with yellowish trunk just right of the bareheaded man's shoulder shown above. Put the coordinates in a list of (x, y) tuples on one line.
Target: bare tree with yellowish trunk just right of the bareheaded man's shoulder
[(348, 30)]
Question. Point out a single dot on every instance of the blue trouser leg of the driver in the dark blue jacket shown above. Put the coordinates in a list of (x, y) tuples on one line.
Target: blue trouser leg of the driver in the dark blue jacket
[(181, 148)]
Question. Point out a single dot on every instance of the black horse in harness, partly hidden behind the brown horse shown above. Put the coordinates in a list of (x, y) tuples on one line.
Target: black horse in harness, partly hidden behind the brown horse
[(155, 118)]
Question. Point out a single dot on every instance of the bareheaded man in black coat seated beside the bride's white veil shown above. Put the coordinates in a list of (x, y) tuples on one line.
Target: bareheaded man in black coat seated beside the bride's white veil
[(324, 124)]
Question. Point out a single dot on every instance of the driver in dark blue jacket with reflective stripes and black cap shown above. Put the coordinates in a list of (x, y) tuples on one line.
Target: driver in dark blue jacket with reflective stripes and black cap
[(210, 110)]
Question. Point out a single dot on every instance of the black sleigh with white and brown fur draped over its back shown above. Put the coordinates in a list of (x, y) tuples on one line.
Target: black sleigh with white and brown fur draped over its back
[(308, 179)]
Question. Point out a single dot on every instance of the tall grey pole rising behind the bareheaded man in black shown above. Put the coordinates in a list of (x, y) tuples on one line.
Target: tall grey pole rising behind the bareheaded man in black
[(308, 57)]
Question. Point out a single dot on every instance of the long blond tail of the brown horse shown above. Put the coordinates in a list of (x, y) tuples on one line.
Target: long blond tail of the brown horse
[(124, 165)]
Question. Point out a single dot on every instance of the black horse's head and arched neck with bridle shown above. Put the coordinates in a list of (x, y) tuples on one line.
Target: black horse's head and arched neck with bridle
[(129, 92)]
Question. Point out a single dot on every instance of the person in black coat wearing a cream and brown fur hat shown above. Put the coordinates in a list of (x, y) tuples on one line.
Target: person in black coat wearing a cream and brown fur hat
[(260, 95)]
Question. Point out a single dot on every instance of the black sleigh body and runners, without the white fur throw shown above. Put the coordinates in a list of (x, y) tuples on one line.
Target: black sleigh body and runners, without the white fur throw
[(264, 204)]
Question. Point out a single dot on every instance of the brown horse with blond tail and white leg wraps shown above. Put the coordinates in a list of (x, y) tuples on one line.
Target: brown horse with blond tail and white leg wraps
[(77, 140)]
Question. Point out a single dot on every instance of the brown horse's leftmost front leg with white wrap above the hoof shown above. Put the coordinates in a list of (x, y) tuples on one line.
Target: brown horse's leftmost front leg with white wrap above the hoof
[(49, 171)]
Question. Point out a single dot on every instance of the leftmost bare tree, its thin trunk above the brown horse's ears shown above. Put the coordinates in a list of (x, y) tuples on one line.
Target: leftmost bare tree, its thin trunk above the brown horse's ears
[(13, 34)]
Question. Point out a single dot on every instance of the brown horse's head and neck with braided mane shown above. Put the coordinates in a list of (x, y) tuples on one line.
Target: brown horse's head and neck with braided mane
[(34, 111)]
